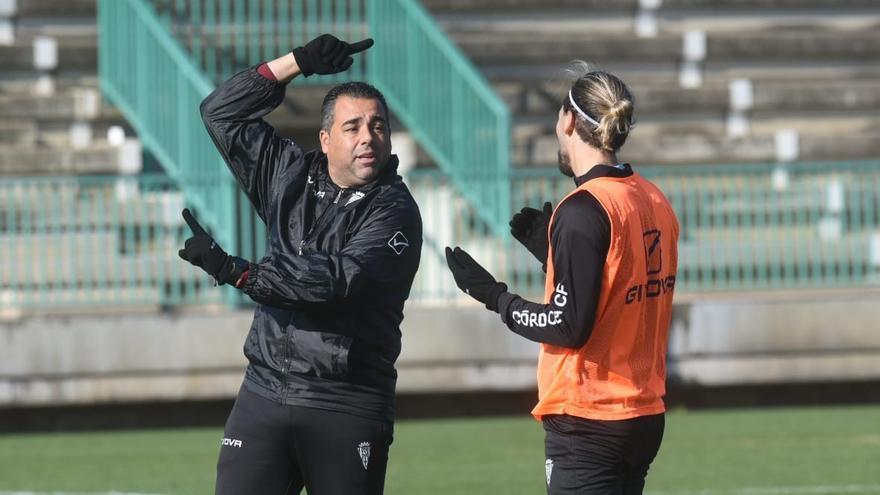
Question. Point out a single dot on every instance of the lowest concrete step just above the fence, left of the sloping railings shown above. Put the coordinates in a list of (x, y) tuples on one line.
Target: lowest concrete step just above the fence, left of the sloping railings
[(99, 158)]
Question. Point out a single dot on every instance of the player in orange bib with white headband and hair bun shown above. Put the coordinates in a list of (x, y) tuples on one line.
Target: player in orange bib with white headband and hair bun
[(609, 250)]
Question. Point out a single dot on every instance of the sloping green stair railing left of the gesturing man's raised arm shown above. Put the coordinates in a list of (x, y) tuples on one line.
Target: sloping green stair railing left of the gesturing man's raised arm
[(147, 74)]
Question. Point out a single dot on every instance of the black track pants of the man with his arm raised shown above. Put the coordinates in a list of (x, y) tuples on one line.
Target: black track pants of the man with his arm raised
[(270, 448)]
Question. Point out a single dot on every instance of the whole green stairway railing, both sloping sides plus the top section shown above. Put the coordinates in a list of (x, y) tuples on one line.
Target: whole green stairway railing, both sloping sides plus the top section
[(157, 80)]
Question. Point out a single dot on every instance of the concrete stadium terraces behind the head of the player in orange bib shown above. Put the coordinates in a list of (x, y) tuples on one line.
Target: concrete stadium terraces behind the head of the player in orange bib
[(810, 65)]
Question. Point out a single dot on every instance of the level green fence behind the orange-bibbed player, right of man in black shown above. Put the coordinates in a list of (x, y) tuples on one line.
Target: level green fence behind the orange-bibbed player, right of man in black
[(743, 227)]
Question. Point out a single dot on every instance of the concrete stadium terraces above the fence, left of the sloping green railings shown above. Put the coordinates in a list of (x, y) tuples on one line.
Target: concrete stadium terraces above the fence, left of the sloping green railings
[(52, 120)]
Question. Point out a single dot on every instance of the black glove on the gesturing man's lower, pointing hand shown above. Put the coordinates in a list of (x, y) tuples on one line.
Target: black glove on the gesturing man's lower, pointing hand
[(203, 252)]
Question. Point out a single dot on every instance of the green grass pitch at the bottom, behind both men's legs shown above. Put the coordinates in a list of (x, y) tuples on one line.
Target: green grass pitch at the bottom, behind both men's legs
[(780, 451)]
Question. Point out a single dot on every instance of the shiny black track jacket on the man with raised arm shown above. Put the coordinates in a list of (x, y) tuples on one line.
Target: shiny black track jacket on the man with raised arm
[(339, 266)]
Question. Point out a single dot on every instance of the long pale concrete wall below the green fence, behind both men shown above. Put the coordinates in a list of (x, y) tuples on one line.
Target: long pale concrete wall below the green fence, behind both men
[(196, 355)]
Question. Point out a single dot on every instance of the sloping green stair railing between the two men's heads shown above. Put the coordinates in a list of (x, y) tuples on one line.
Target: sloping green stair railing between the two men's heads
[(444, 101)]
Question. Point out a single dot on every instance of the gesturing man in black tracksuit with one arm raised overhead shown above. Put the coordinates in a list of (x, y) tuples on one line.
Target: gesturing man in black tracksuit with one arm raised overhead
[(316, 407)]
